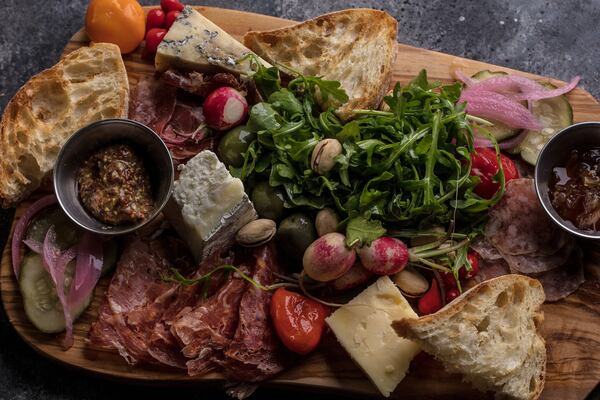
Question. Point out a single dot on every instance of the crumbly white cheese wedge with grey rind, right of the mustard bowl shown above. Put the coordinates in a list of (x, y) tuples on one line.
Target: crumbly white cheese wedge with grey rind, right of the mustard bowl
[(208, 205)]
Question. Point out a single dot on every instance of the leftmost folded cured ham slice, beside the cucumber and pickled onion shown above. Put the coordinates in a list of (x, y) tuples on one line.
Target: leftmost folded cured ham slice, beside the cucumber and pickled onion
[(137, 299)]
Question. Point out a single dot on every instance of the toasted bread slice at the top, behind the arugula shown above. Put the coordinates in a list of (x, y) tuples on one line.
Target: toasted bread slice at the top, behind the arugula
[(356, 47)]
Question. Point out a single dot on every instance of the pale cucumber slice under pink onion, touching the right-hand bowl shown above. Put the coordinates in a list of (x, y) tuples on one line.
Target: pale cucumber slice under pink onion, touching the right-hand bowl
[(554, 114)]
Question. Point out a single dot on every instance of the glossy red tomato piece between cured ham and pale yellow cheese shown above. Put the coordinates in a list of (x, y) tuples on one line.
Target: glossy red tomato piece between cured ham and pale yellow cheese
[(298, 320)]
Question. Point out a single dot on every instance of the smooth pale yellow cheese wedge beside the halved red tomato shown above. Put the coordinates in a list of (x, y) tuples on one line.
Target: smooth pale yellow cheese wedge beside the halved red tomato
[(363, 328)]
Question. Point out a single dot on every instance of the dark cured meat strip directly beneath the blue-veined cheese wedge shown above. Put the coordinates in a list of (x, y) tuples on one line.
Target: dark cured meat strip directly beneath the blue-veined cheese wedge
[(199, 84)]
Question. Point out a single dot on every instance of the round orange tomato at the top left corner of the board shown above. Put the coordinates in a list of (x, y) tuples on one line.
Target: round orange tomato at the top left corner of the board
[(121, 22)]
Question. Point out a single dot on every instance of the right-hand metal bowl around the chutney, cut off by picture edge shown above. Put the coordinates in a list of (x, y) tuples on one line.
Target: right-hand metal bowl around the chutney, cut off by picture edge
[(555, 154)]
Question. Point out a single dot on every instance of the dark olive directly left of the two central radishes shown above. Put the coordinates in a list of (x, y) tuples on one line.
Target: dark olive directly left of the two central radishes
[(294, 235)]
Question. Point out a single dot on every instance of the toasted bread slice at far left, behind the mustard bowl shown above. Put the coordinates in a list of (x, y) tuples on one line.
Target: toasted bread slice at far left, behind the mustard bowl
[(87, 85)]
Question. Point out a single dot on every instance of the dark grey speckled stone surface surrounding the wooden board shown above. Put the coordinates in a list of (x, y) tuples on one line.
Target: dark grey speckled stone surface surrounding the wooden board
[(554, 38)]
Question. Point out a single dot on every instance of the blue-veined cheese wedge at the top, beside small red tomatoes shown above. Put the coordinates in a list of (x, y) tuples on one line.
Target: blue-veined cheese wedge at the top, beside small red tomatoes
[(195, 43)]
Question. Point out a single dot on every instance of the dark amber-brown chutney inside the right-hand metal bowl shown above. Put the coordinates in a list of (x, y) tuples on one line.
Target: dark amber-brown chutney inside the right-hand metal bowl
[(575, 189)]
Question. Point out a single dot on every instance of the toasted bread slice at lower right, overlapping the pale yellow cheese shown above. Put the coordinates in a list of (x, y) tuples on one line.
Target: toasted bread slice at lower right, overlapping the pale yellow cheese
[(489, 335)]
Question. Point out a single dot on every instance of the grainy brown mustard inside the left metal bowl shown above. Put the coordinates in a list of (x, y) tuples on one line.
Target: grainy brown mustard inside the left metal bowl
[(115, 187)]
